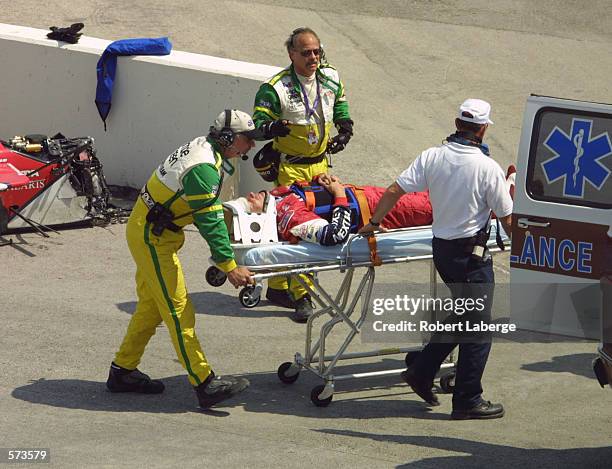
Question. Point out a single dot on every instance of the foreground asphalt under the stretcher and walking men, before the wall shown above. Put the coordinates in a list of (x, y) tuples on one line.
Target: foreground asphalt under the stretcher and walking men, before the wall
[(68, 300)]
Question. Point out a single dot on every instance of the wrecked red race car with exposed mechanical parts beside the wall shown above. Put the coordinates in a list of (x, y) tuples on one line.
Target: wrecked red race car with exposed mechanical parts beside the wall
[(51, 181)]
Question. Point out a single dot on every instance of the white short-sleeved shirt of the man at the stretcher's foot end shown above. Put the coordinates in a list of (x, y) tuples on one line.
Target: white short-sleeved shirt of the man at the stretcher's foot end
[(464, 185)]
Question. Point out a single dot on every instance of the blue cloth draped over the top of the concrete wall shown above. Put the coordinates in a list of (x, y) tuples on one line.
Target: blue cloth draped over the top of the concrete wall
[(107, 66)]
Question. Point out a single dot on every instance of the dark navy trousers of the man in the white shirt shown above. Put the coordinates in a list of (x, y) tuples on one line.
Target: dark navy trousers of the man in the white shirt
[(466, 278)]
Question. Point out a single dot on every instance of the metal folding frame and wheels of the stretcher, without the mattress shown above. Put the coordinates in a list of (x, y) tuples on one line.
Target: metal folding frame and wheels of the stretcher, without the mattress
[(341, 309)]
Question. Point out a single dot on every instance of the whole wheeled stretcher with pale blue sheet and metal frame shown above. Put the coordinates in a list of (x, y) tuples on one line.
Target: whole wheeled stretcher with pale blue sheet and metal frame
[(349, 306)]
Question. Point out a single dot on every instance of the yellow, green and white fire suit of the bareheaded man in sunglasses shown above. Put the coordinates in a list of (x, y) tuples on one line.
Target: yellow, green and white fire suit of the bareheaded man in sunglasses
[(282, 97)]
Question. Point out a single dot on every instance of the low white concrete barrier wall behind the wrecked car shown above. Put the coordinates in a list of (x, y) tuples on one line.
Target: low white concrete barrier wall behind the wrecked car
[(158, 102)]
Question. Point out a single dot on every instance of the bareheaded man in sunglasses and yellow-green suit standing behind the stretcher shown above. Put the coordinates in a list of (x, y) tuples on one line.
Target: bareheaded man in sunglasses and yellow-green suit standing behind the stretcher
[(296, 108)]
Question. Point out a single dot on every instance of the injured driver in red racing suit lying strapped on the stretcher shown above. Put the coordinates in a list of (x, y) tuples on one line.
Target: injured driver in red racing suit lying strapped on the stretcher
[(325, 211)]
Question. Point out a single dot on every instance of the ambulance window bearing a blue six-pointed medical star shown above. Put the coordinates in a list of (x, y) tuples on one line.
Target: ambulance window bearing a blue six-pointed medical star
[(570, 158)]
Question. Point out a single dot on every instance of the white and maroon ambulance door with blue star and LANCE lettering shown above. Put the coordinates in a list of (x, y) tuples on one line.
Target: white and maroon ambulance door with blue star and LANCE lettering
[(561, 256)]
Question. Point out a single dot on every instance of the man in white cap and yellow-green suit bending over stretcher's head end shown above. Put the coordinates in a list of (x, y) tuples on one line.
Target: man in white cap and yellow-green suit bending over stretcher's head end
[(183, 190)]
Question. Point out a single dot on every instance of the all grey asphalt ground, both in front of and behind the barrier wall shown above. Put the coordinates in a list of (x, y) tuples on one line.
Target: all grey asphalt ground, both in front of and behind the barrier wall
[(407, 65)]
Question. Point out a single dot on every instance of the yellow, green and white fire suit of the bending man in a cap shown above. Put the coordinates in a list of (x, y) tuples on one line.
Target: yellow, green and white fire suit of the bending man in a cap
[(187, 182)]
